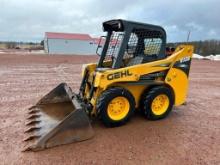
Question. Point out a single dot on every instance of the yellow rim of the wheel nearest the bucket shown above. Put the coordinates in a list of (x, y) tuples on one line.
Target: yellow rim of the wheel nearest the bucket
[(118, 108)]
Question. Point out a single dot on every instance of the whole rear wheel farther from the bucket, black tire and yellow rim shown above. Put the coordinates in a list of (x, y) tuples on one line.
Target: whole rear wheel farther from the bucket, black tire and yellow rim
[(158, 103)]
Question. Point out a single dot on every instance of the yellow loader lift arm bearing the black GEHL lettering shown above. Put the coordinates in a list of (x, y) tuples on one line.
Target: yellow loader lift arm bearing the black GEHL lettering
[(142, 69)]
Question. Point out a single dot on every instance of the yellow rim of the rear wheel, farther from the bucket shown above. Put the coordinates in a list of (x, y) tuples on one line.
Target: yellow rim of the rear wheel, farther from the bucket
[(160, 104)]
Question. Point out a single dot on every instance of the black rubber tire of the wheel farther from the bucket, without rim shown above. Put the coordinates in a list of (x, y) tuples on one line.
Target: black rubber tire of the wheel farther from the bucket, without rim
[(150, 96)]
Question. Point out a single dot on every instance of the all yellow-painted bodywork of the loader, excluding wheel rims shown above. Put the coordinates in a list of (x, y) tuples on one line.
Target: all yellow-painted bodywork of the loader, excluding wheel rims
[(175, 78)]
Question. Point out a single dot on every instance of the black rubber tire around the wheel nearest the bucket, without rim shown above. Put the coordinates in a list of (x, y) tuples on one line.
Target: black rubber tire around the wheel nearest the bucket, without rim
[(104, 100)]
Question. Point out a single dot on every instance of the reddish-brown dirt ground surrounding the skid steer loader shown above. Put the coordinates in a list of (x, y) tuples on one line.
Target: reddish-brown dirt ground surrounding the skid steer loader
[(190, 135)]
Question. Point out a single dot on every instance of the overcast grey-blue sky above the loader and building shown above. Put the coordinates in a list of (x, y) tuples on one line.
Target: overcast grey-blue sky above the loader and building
[(27, 20)]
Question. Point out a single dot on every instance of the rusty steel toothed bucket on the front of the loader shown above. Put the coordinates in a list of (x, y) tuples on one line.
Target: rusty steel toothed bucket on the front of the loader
[(58, 118)]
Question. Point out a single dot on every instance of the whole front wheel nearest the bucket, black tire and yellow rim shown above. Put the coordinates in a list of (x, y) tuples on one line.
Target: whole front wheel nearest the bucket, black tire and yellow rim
[(115, 106)]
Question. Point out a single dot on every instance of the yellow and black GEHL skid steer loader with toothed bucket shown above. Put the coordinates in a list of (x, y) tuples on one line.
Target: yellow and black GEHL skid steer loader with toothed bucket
[(133, 73)]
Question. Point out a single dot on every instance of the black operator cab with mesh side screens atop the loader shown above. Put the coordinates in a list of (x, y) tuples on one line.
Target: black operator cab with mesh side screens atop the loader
[(130, 43)]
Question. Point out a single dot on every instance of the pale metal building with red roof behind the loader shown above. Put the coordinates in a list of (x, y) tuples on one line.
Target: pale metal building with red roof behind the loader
[(69, 43)]
